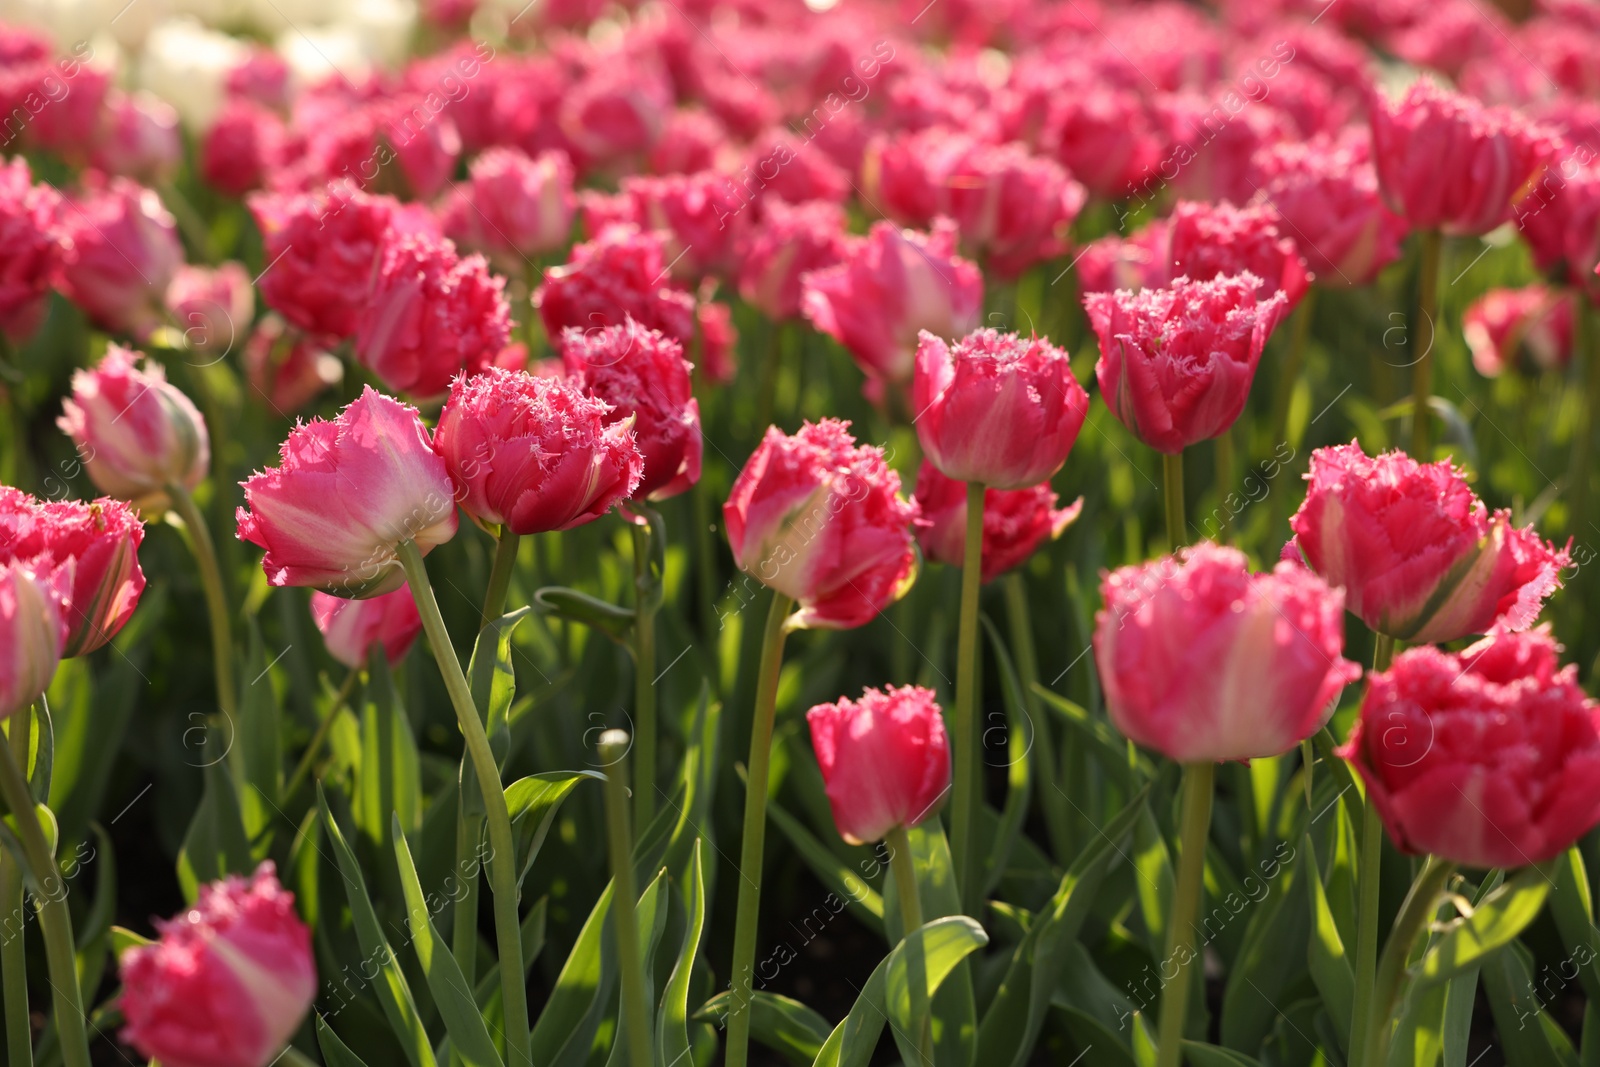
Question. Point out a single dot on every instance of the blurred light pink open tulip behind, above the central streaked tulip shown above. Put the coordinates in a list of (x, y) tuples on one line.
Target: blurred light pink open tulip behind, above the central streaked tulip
[(892, 286)]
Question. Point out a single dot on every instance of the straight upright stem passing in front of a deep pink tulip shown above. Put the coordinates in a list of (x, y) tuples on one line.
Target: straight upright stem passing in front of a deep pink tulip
[(969, 788)]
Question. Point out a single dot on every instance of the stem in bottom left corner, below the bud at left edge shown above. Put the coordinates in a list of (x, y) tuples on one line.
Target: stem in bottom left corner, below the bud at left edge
[(50, 898)]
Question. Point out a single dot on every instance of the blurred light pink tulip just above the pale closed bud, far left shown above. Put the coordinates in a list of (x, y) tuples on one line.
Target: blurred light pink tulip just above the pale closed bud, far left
[(126, 252)]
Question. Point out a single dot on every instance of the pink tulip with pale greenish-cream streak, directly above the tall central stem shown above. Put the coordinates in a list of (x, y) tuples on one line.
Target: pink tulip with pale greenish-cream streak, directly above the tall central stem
[(820, 519)]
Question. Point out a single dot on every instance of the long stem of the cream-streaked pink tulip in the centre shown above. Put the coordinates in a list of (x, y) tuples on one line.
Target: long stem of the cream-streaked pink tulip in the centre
[(754, 844)]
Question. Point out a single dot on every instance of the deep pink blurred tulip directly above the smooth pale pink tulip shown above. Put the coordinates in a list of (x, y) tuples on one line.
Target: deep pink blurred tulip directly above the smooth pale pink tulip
[(431, 316)]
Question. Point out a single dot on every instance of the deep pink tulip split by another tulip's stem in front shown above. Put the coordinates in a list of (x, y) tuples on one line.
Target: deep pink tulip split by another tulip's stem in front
[(1017, 522)]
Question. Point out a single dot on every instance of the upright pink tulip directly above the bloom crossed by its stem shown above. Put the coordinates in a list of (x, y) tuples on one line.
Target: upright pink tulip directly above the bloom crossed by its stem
[(998, 409)]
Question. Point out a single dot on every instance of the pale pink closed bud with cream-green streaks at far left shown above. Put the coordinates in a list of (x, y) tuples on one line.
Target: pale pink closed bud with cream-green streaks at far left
[(135, 431)]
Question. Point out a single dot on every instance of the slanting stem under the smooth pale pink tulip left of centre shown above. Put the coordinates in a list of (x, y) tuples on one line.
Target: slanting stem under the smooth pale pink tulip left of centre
[(503, 858)]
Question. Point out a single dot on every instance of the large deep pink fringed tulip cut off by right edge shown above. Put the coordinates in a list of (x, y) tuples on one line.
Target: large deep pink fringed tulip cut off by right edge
[(1489, 757)]
